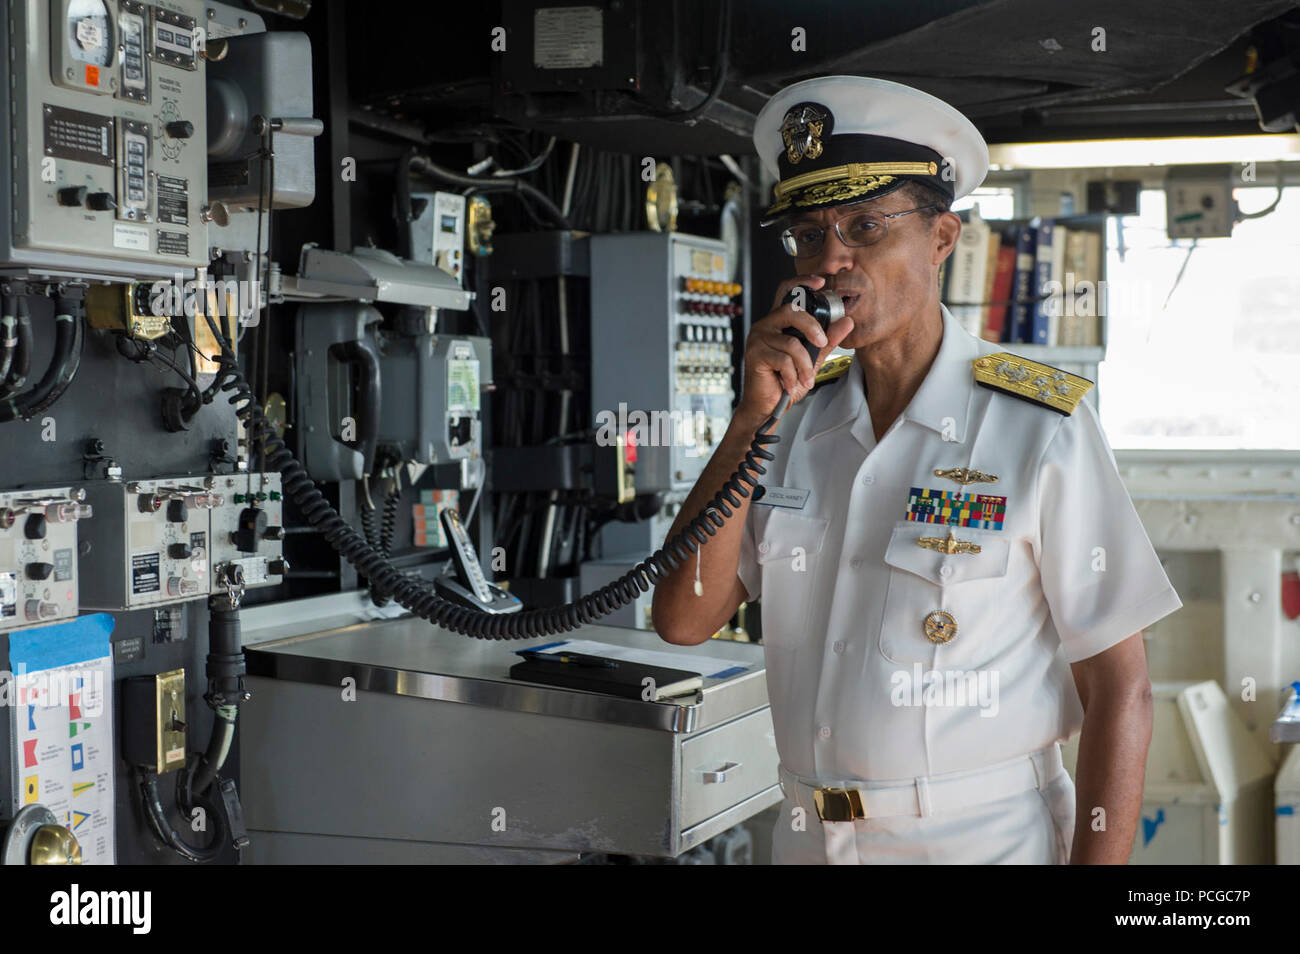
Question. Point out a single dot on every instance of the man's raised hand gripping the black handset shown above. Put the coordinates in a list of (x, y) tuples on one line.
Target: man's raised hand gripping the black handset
[(777, 362)]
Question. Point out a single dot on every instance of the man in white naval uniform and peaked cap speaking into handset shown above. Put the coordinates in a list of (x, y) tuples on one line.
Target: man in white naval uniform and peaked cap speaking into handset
[(954, 578)]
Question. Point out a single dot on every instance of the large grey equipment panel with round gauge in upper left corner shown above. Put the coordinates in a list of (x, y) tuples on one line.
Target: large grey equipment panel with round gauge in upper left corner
[(107, 138)]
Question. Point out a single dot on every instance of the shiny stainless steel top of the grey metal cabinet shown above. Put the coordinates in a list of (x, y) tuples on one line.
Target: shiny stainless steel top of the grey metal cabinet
[(410, 657)]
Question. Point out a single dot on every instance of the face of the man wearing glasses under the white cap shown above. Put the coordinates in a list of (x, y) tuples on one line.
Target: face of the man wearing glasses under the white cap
[(885, 285)]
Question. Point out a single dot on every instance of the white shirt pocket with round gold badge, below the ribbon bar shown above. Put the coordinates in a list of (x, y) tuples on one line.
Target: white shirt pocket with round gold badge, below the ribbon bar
[(967, 587)]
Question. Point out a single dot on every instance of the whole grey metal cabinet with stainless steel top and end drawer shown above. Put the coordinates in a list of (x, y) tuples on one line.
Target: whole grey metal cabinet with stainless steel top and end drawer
[(434, 744)]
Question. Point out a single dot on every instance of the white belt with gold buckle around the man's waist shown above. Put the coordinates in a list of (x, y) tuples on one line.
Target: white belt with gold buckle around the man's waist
[(839, 806)]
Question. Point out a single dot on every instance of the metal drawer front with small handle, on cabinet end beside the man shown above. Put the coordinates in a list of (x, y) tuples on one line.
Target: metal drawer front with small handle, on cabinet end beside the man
[(726, 766)]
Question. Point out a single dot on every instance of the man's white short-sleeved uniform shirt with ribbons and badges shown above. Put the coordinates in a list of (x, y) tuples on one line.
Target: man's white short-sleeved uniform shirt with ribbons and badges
[(1065, 571)]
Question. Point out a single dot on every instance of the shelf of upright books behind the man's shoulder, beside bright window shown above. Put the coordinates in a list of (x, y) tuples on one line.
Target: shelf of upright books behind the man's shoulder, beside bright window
[(973, 276)]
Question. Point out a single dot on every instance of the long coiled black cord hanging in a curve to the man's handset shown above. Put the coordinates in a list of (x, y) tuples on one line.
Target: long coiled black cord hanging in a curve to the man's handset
[(421, 600)]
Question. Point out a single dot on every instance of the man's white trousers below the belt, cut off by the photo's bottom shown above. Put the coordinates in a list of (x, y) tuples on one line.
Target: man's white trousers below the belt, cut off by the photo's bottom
[(1032, 827)]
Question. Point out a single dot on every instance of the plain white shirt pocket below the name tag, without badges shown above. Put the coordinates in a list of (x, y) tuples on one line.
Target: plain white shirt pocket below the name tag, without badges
[(788, 550)]
